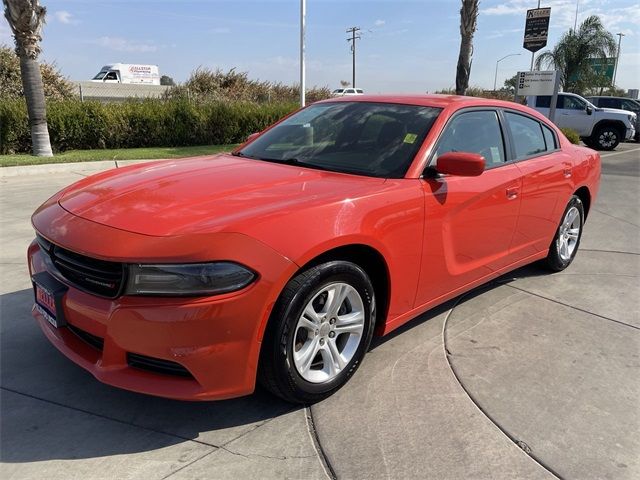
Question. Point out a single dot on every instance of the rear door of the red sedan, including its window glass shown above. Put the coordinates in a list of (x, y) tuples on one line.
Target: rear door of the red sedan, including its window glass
[(546, 182)]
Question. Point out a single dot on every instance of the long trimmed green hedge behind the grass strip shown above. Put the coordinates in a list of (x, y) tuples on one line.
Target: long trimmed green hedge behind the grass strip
[(149, 123)]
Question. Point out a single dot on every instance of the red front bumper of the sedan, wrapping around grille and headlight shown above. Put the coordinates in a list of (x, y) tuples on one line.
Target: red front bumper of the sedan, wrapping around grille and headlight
[(214, 342)]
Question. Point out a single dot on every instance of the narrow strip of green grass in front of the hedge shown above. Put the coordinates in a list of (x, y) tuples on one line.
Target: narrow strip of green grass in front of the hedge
[(115, 154)]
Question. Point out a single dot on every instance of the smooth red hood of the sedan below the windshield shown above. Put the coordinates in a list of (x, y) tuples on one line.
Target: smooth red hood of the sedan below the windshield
[(205, 194)]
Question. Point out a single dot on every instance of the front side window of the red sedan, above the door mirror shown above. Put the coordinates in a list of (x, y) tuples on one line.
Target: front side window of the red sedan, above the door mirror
[(474, 132)]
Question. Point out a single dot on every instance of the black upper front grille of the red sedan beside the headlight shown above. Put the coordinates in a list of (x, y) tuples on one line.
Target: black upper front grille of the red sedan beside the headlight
[(89, 274)]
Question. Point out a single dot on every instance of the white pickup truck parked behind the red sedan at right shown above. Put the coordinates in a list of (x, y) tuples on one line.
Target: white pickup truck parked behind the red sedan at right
[(599, 128)]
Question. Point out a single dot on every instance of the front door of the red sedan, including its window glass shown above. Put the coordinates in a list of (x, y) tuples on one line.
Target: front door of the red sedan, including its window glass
[(469, 221)]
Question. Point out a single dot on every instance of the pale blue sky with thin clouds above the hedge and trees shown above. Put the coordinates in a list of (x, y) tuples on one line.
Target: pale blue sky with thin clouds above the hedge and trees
[(406, 45)]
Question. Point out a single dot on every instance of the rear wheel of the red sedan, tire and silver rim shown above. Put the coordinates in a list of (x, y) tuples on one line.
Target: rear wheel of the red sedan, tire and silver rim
[(566, 241)]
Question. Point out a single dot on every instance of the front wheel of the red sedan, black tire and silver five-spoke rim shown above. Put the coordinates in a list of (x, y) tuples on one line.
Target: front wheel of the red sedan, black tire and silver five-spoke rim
[(313, 346)]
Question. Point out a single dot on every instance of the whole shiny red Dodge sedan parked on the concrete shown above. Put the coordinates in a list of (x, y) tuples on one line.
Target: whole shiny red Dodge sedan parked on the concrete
[(192, 279)]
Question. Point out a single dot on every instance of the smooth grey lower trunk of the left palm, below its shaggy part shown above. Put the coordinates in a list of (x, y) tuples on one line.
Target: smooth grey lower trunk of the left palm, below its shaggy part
[(36, 107)]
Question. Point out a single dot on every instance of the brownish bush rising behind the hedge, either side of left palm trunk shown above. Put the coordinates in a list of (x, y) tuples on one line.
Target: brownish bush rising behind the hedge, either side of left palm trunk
[(56, 85)]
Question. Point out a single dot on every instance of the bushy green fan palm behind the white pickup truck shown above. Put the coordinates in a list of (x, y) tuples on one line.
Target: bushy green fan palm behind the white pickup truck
[(571, 54)]
